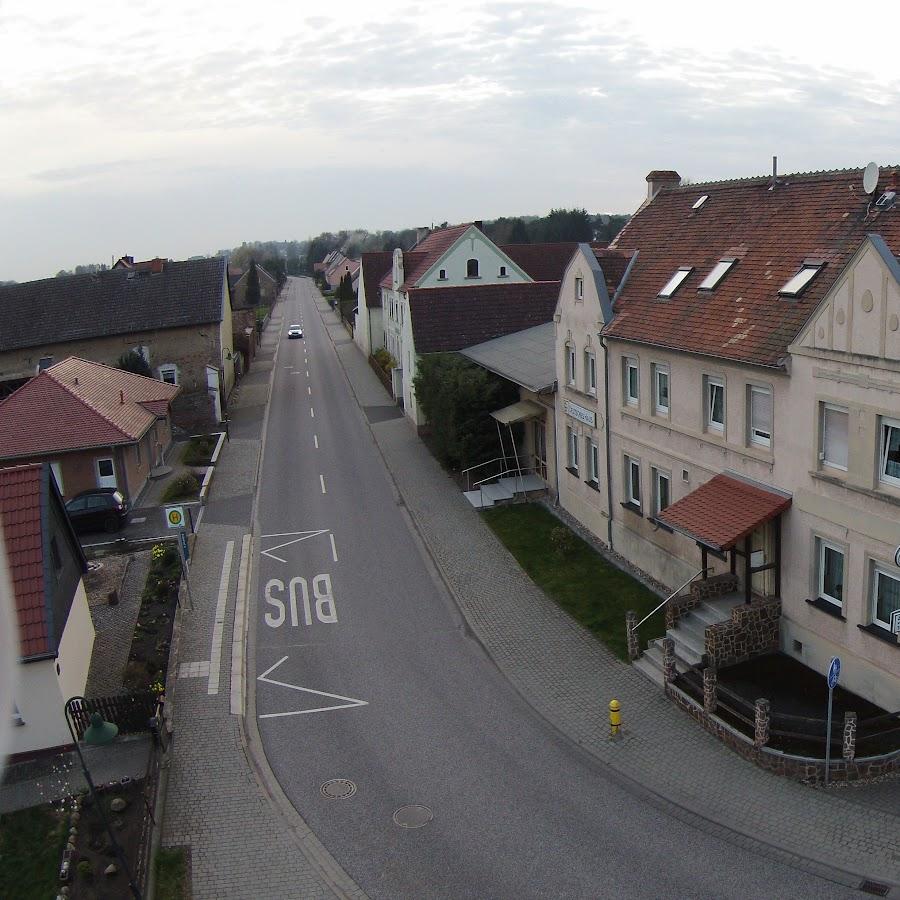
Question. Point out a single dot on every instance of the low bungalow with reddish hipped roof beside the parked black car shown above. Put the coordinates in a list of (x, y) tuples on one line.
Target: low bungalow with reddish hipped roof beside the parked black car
[(94, 425)]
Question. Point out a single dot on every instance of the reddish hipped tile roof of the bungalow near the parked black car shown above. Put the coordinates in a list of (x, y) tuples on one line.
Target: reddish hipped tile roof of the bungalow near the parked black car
[(77, 404)]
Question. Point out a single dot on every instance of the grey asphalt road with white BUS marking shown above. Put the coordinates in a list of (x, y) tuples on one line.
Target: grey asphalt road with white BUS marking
[(369, 675)]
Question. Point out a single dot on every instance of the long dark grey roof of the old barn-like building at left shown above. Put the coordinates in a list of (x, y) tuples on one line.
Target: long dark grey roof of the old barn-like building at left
[(118, 301)]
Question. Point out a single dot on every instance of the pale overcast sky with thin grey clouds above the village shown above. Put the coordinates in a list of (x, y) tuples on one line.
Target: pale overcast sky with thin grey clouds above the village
[(181, 128)]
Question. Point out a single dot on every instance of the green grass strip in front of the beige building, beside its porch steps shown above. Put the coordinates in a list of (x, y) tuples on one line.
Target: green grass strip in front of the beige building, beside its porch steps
[(591, 590)]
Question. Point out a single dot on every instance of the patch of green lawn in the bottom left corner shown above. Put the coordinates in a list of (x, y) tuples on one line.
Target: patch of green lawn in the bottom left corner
[(31, 846)]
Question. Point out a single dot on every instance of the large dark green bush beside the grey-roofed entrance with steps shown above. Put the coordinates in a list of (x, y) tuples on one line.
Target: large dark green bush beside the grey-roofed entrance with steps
[(457, 398)]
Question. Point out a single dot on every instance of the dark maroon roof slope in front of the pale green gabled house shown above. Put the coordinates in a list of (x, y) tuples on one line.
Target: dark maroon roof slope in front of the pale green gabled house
[(445, 319)]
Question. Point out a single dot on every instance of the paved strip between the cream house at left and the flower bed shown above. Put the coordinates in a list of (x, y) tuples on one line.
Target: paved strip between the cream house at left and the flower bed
[(114, 629)]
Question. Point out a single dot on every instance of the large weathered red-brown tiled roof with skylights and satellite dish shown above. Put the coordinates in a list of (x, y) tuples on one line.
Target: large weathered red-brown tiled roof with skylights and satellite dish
[(770, 232)]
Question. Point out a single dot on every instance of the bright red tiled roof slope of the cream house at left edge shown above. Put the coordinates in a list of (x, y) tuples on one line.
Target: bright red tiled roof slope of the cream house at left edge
[(20, 510)]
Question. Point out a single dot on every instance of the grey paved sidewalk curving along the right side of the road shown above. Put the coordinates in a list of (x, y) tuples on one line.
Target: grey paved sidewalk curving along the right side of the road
[(569, 677)]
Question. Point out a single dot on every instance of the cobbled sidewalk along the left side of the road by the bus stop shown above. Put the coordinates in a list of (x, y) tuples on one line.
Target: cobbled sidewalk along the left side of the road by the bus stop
[(241, 845)]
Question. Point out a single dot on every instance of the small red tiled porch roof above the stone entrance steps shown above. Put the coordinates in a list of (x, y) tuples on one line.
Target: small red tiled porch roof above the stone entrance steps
[(723, 511)]
